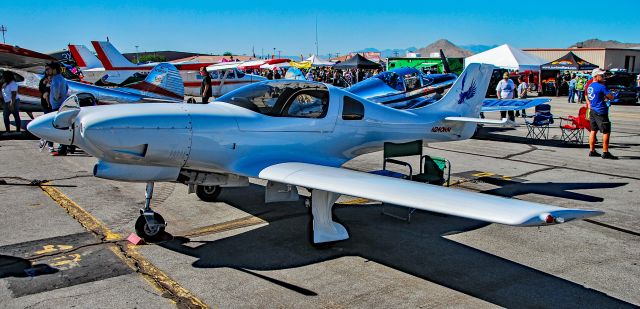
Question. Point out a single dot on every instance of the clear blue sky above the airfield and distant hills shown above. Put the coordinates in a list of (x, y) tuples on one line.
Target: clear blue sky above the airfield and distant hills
[(219, 26)]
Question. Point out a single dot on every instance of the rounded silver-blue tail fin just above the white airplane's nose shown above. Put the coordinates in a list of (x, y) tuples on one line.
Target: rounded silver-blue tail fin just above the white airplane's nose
[(163, 83)]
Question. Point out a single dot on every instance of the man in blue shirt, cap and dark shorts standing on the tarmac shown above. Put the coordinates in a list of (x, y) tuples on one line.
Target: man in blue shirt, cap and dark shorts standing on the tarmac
[(599, 114)]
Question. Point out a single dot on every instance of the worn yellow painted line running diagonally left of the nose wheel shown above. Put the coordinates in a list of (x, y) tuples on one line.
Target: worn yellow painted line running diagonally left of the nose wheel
[(168, 287)]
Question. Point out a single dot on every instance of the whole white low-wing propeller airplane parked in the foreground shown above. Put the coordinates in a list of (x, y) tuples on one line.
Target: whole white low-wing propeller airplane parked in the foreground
[(291, 133)]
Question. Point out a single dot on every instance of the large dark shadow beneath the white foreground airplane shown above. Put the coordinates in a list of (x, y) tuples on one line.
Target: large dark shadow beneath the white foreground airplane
[(417, 248)]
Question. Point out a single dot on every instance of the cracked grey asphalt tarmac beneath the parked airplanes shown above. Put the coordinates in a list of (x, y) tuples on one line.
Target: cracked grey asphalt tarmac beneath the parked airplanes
[(64, 235)]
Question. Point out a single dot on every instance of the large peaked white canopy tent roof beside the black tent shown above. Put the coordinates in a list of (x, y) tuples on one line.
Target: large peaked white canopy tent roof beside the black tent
[(507, 57)]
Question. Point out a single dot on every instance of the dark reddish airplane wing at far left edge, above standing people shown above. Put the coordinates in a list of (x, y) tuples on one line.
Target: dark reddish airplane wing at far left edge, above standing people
[(19, 58)]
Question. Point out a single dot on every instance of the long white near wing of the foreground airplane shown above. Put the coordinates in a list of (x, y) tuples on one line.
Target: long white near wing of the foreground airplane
[(422, 196)]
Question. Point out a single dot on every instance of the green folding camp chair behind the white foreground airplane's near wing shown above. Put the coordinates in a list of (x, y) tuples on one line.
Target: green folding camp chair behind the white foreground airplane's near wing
[(432, 169)]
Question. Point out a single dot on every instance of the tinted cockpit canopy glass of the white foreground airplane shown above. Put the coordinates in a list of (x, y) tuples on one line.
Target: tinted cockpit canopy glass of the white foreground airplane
[(282, 98)]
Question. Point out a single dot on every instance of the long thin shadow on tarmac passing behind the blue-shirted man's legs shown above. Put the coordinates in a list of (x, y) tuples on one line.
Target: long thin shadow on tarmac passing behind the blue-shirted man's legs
[(493, 134)]
